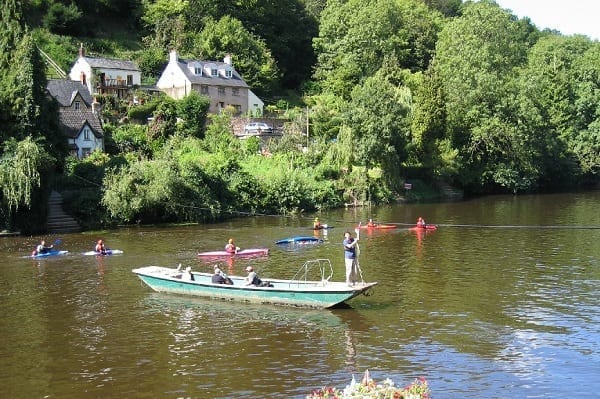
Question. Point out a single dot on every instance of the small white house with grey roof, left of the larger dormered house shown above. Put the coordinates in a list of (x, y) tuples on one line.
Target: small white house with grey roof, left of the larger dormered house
[(105, 75)]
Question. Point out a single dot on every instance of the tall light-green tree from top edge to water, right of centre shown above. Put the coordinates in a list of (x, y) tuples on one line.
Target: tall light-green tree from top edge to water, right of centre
[(478, 56)]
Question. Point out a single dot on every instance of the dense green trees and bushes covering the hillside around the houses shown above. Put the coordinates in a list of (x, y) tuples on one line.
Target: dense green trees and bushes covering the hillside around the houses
[(384, 92)]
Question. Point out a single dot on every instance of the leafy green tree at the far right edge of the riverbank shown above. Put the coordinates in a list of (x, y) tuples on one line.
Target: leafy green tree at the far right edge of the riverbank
[(559, 90)]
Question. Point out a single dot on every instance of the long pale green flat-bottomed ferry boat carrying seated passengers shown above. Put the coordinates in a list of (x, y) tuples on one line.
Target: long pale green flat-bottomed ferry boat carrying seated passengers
[(309, 294)]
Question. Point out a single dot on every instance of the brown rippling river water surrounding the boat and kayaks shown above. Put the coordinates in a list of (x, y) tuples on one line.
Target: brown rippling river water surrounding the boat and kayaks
[(501, 301)]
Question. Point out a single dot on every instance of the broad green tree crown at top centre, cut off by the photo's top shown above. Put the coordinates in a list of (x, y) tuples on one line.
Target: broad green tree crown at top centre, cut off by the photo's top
[(356, 37)]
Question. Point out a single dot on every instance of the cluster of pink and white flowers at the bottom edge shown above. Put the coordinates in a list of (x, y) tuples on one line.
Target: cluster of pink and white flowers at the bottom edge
[(367, 388)]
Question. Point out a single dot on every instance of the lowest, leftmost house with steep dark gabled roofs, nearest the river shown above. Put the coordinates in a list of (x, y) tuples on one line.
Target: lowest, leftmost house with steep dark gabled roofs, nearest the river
[(79, 116)]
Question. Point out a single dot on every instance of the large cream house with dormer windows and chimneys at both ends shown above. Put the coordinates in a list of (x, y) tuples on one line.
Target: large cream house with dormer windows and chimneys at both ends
[(219, 81)]
